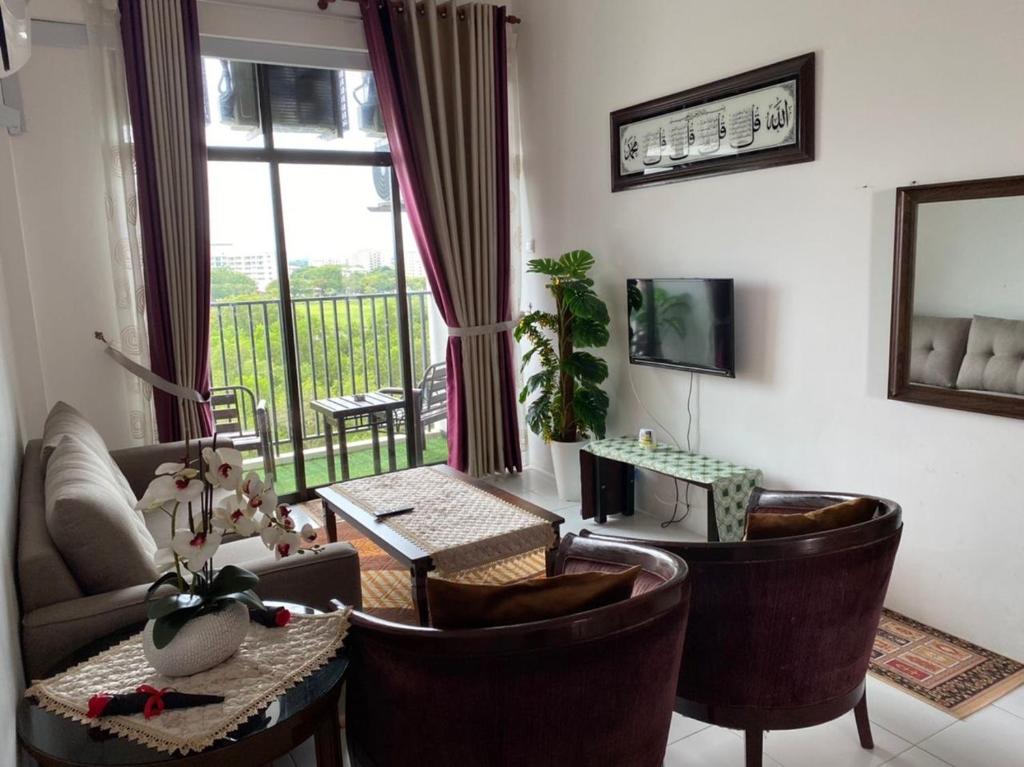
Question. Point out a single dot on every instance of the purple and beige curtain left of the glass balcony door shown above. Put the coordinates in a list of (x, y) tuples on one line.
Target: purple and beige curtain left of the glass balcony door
[(163, 68)]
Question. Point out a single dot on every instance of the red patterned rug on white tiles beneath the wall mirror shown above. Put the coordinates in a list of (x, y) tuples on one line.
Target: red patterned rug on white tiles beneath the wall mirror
[(948, 672)]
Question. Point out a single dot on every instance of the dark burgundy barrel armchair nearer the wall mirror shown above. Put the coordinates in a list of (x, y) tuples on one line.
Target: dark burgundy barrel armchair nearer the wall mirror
[(781, 631)]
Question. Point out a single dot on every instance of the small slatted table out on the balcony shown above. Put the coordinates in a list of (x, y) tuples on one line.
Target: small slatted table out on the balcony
[(375, 407)]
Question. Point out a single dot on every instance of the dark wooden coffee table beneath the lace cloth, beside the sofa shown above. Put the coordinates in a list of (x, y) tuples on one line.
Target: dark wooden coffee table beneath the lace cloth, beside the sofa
[(419, 562)]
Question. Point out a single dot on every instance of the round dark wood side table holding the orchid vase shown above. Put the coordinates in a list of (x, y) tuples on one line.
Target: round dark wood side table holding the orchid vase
[(308, 710)]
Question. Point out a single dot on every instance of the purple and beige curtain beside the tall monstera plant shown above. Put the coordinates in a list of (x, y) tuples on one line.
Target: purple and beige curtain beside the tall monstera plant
[(443, 84)]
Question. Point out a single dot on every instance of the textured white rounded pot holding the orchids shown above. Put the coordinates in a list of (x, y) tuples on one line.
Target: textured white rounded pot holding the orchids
[(201, 645)]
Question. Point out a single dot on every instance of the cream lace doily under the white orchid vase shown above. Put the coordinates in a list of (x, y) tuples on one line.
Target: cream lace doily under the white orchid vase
[(270, 662)]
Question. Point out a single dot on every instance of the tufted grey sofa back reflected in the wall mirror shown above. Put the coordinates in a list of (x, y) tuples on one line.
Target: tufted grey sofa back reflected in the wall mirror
[(979, 354)]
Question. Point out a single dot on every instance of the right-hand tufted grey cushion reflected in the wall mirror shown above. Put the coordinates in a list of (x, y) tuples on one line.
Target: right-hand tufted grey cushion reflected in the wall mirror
[(995, 360)]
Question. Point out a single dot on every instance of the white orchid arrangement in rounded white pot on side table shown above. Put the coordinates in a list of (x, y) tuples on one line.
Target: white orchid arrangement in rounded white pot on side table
[(206, 618)]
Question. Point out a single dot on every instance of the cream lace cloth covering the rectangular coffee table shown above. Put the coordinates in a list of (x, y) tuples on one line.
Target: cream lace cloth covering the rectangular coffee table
[(461, 527)]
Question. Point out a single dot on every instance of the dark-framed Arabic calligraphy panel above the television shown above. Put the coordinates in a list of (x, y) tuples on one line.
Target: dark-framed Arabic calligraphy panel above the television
[(760, 119)]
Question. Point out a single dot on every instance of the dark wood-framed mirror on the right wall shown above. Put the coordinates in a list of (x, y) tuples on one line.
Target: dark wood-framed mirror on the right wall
[(958, 317)]
